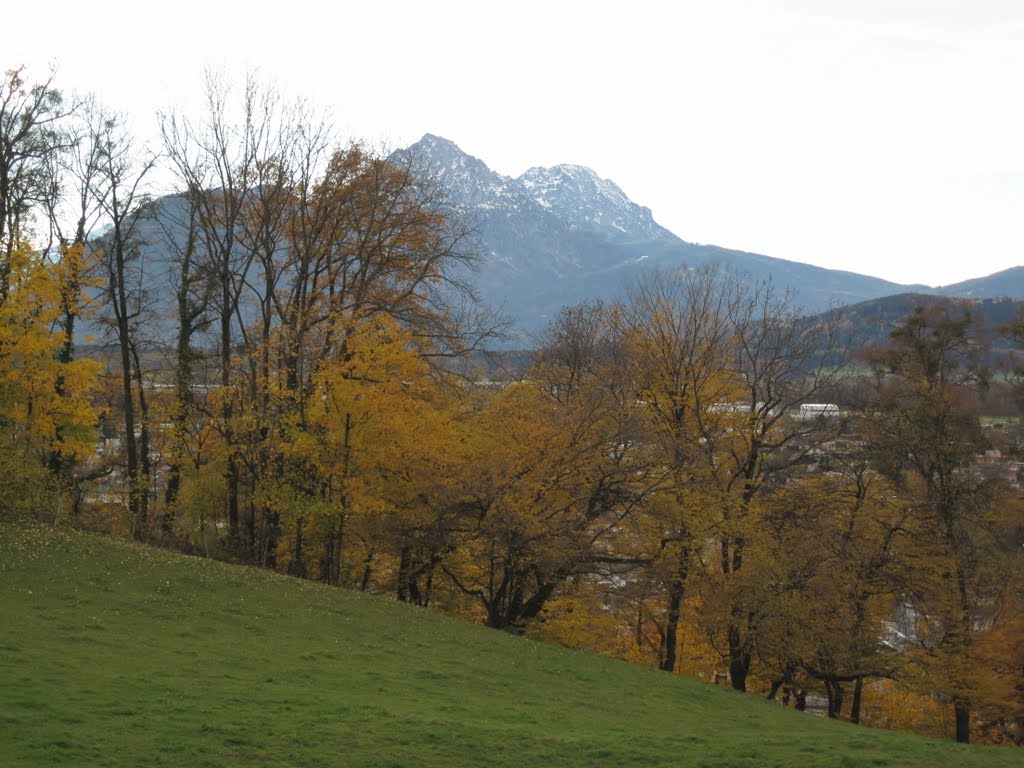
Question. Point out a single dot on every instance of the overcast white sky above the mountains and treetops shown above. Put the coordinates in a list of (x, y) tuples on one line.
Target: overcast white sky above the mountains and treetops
[(881, 137)]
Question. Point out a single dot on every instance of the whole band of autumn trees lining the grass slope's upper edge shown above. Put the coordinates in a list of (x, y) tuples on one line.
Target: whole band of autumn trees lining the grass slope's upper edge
[(648, 487)]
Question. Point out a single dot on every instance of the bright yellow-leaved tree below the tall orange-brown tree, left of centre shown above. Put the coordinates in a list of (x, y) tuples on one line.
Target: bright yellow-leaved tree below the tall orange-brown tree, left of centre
[(357, 453)]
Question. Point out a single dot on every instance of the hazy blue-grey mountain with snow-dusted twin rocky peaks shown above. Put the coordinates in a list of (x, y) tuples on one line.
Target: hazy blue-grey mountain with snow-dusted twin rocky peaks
[(557, 236)]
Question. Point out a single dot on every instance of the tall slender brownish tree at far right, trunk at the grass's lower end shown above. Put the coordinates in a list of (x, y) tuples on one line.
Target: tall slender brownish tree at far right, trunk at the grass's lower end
[(925, 425)]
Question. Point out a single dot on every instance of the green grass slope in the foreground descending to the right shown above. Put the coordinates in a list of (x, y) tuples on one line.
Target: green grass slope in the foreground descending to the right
[(122, 656)]
